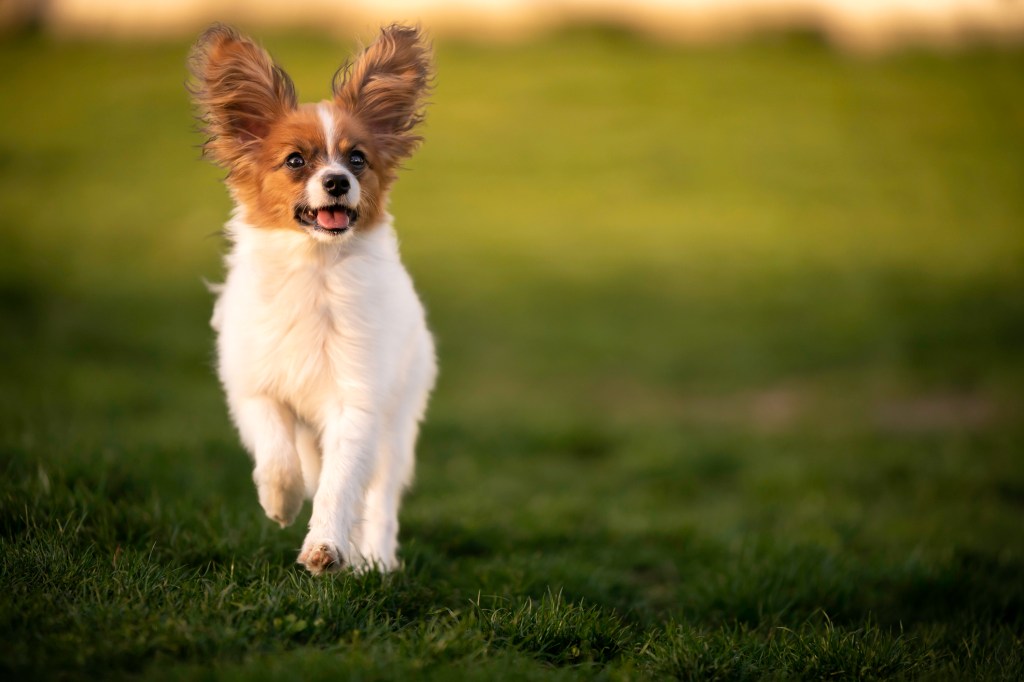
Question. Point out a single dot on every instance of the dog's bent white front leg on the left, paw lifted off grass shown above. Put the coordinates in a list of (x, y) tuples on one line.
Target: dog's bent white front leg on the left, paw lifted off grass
[(268, 430)]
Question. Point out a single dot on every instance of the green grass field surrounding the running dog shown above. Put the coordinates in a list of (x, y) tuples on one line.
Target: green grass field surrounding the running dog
[(732, 347)]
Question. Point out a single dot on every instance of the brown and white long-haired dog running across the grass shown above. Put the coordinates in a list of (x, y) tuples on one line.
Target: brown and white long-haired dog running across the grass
[(323, 347)]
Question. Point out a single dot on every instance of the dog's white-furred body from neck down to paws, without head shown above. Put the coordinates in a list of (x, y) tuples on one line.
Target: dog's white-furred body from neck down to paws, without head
[(327, 363)]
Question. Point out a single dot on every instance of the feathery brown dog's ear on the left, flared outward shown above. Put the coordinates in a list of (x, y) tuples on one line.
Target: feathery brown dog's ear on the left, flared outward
[(239, 92)]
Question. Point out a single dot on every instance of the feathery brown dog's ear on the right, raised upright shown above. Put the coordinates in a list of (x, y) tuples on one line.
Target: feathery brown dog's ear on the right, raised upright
[(387, 89)]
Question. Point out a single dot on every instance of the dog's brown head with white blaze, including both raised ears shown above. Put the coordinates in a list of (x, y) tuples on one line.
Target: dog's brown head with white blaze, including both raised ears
[(326, 168)]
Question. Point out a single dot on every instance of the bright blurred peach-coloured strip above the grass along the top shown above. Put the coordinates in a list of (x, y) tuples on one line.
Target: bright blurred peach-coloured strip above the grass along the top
[(857, 24)]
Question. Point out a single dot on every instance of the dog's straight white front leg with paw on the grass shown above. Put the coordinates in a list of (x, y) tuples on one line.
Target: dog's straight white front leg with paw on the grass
[(349, 445)]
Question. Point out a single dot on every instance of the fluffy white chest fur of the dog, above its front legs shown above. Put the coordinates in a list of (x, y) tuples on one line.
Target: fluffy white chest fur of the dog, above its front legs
[(298, 322)]
